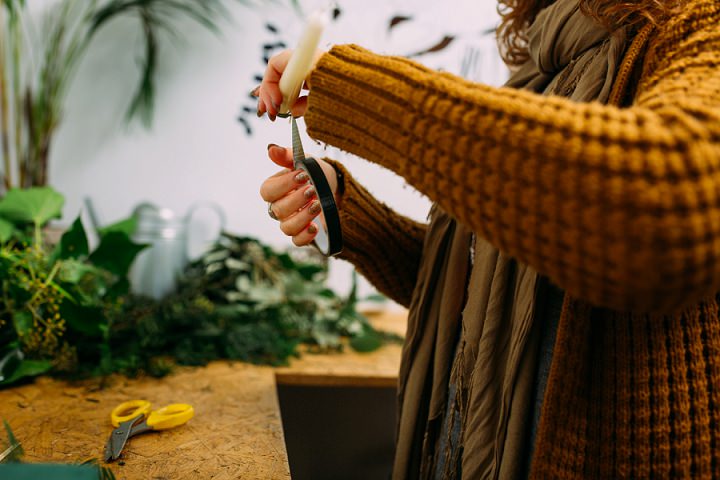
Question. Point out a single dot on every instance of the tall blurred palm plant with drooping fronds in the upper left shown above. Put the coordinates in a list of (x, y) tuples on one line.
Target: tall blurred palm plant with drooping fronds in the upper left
[(37, 66)]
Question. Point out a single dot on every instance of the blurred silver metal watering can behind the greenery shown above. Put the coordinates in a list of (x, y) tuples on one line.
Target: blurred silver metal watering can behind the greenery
[(156, 269)]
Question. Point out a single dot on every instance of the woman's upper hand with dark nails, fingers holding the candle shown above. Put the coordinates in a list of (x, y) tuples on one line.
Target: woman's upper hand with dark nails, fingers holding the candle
[(269, 95)]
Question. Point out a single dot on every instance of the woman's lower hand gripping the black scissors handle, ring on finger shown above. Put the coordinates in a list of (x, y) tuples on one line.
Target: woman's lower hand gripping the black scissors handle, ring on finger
[(291, 199)]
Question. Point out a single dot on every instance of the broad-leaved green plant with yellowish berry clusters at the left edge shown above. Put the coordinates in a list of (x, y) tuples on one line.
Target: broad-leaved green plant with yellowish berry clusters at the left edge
[(55, 301)]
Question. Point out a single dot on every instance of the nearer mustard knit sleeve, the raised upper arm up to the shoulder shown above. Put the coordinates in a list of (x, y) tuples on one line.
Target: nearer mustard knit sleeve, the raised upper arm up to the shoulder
[(618, 206)]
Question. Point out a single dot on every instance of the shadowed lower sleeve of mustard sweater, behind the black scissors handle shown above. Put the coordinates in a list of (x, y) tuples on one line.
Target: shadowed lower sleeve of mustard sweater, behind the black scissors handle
[(368, 224)]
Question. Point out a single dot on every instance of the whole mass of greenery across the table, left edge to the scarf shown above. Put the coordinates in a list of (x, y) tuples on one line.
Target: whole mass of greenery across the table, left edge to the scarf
[(65, 309)]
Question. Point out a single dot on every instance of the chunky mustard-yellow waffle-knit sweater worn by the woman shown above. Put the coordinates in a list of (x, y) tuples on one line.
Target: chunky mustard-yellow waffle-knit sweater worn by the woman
[(617, 204)]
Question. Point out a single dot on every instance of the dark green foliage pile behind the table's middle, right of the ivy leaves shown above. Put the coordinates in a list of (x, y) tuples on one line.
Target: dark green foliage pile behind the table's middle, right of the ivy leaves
[(242, 300)]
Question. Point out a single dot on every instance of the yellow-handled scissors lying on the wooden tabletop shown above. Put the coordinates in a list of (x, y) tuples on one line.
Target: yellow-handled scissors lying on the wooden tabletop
[(135, 417)]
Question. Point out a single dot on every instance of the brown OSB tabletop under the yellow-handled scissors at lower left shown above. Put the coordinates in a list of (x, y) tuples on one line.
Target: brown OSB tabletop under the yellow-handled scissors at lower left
[(236, 432)]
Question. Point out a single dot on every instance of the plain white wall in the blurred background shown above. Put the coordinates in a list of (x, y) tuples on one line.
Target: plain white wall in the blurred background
[(196, 150)]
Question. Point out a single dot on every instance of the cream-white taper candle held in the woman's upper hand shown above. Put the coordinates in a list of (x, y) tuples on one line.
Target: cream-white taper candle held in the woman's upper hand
[(301, 60)]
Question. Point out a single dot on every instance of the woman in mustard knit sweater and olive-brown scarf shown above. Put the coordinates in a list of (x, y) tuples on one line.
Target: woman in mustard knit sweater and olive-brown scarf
[(563, 298)]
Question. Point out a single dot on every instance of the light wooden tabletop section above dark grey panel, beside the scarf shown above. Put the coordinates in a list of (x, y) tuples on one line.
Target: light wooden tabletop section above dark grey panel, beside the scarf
[(349, 368)]
